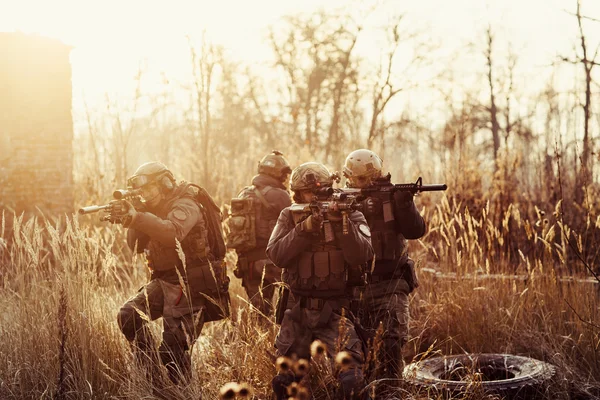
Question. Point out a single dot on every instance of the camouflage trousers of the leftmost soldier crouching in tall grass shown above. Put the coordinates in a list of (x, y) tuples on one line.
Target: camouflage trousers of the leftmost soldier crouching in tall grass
[(183, 320)]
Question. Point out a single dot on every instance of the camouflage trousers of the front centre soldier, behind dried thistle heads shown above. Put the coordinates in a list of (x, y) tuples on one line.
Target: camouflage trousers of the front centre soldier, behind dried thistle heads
[(301, 326)]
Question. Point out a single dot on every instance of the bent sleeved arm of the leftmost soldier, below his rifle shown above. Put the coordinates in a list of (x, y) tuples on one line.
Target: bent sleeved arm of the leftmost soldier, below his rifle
[(182, 217)]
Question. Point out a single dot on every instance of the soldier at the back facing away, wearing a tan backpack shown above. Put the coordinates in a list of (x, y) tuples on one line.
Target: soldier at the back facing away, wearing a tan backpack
[(250, 226)]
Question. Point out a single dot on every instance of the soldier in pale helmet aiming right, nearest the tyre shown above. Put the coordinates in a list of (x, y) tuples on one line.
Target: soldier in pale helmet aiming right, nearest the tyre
[(393, 218)]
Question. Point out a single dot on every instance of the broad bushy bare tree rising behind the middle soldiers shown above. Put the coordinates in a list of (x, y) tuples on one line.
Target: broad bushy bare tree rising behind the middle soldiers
[(315, 52)]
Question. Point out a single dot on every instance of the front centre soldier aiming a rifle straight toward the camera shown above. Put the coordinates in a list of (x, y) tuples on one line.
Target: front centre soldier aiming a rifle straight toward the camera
[(316, 267)]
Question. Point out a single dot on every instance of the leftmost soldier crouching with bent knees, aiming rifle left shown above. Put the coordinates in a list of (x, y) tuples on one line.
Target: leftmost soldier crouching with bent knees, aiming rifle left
[(185, 295)]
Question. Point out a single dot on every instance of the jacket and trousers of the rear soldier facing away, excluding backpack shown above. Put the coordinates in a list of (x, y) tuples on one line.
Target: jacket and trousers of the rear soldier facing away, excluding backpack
[(259, 275)]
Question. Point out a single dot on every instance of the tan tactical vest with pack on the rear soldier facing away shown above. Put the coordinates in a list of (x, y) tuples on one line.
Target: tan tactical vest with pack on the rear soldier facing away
[(252, 219)]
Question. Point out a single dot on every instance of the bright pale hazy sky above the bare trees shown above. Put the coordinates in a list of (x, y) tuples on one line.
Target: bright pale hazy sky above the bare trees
[(111, 36)]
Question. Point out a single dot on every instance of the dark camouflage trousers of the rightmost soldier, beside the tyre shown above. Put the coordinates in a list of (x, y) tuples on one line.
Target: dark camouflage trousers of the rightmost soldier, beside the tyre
[(385, 304)]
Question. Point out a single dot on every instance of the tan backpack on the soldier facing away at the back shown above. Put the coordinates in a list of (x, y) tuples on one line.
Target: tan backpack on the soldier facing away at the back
[(244, 215)]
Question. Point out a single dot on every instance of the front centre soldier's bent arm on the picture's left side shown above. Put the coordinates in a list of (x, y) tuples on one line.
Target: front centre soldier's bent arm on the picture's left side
[(287, 241)]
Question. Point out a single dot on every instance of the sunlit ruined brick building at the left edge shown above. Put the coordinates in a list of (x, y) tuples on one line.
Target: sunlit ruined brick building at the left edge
[(36, 125)]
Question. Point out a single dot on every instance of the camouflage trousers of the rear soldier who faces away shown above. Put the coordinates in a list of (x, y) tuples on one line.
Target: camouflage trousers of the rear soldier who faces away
[(260, 280)]
